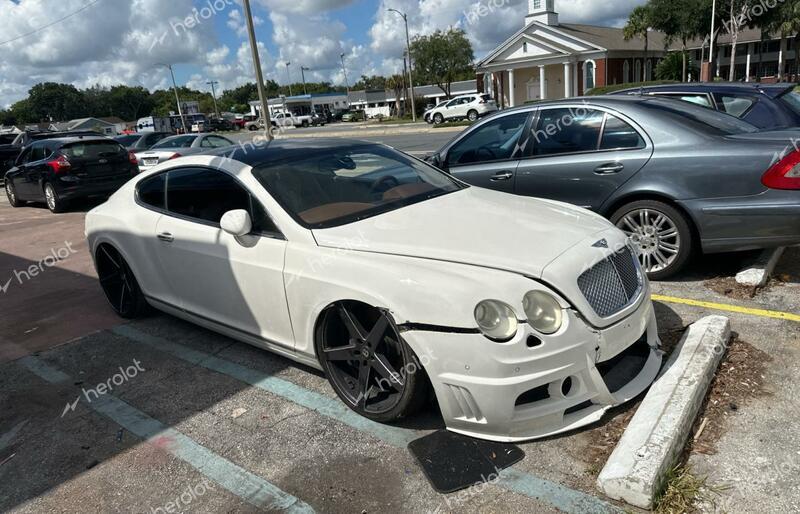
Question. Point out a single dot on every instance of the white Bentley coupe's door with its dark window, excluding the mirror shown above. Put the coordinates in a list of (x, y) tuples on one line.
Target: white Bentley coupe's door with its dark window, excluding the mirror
[(234, 282)]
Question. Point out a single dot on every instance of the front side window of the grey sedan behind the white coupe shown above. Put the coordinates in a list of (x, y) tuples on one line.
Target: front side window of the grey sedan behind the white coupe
[(495, 140)]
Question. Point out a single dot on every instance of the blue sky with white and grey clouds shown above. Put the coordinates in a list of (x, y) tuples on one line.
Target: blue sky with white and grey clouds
[(110, 42)]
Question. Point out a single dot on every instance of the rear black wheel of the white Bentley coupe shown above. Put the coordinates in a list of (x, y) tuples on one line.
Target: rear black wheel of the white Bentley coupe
[(119, 284)]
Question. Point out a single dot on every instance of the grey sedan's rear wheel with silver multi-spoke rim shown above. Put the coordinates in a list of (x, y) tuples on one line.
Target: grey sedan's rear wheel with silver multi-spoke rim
[(662, 233)]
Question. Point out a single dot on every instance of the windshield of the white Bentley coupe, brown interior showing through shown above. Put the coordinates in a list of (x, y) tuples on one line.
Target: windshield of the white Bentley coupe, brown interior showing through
[(333, 187)]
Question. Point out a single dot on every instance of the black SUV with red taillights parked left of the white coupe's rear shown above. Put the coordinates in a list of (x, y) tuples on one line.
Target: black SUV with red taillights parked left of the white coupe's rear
[(57, 171)]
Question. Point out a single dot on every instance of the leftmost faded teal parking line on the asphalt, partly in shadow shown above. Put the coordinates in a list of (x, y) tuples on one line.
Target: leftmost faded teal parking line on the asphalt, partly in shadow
[(244, 484)]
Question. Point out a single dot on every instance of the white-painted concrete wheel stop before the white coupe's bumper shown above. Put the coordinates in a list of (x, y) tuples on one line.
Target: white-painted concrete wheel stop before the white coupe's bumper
[(656, 435)]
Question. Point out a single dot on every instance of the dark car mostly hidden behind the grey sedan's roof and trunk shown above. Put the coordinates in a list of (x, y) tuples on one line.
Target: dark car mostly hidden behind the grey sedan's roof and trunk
[(767, 106)]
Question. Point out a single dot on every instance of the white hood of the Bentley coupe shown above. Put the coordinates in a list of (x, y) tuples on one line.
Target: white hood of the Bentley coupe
[(474, 226)]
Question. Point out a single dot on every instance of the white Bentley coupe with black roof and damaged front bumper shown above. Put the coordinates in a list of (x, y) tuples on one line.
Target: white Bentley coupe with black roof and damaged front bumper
[(527, 317)]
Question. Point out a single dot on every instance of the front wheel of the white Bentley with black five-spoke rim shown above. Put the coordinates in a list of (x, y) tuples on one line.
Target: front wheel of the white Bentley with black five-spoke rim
[(374, 372)]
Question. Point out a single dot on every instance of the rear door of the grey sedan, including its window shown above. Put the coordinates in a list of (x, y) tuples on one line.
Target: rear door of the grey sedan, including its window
[(581, 155)]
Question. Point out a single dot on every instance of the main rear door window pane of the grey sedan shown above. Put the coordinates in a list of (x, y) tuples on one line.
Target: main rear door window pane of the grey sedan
[(562, 131)]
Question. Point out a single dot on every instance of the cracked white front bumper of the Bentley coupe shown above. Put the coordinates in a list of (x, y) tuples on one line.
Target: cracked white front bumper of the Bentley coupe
[(526, 388)]
